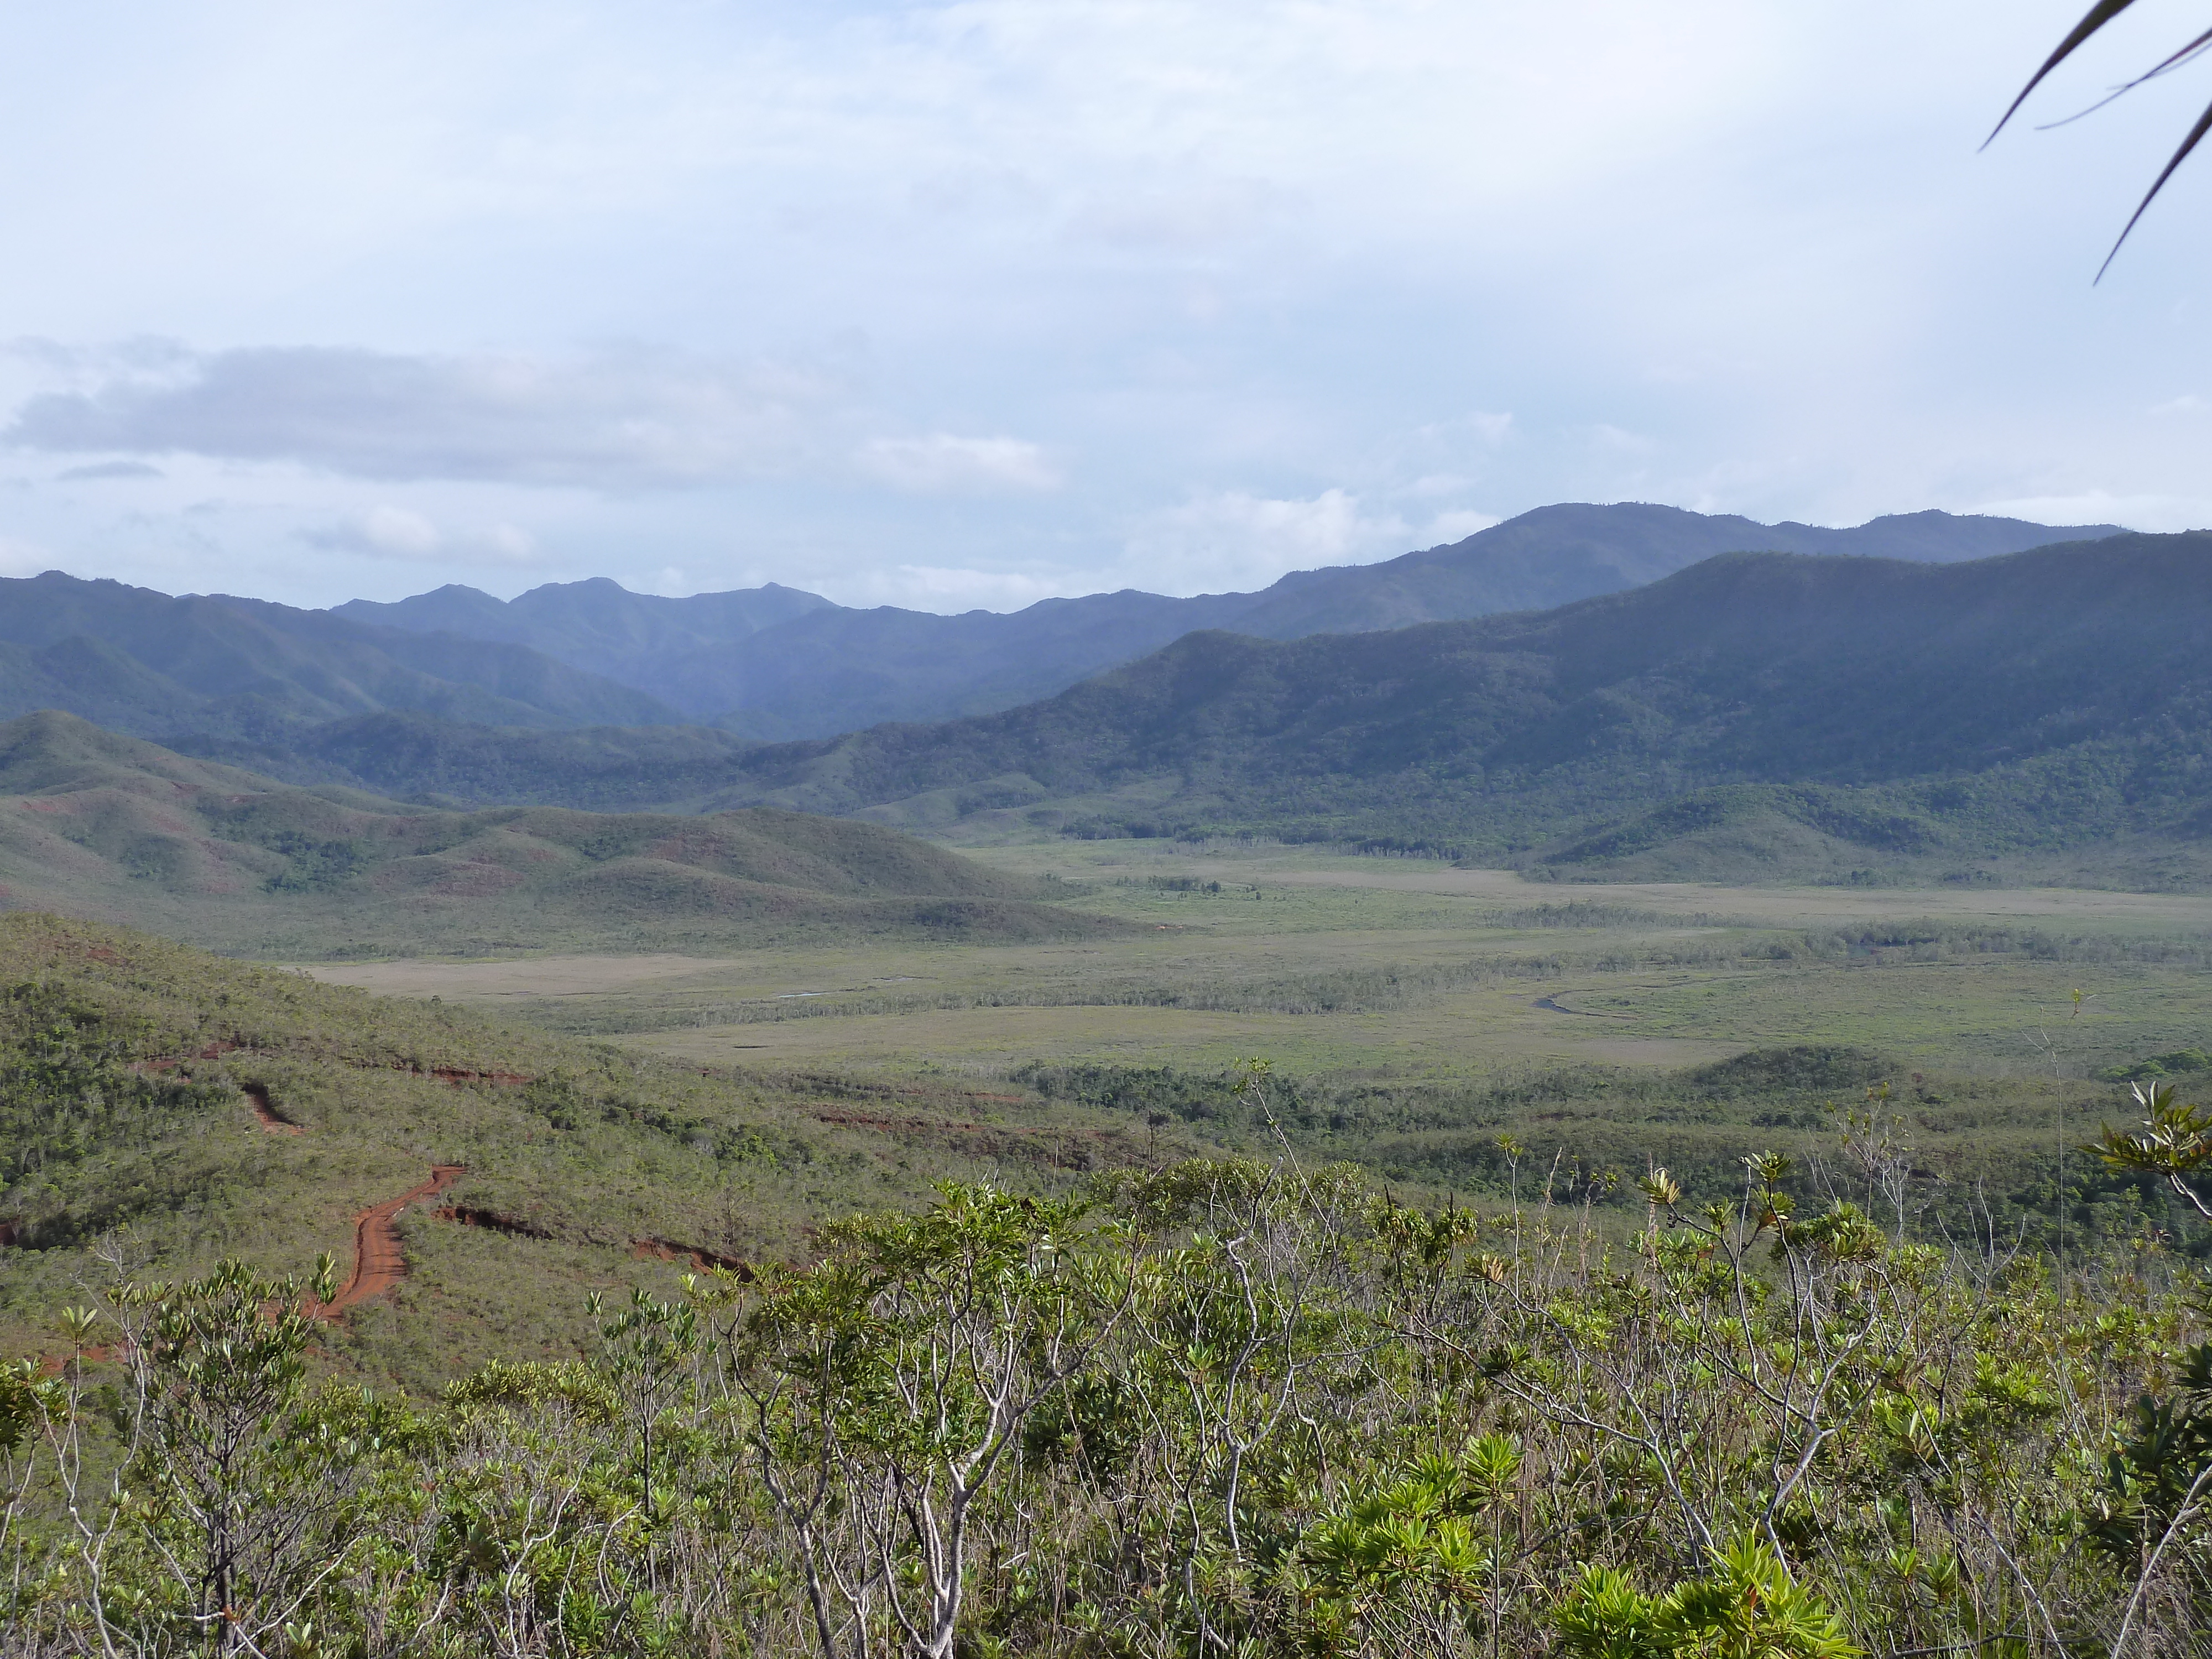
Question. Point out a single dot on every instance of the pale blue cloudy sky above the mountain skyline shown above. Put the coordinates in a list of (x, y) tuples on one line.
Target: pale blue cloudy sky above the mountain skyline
[(977, 304)]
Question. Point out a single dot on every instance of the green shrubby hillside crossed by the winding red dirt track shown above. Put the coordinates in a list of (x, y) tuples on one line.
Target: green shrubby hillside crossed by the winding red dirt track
[(191, 1109)]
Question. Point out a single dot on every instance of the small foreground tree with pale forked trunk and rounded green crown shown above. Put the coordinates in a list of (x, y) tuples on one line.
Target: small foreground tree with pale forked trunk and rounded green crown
[(893, 1384)]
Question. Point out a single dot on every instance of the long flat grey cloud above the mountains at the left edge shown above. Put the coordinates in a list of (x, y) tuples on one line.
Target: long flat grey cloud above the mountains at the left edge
[(609, 421)]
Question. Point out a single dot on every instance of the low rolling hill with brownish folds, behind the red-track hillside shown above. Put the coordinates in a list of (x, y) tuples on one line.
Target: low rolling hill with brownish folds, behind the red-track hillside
[(121, 831)]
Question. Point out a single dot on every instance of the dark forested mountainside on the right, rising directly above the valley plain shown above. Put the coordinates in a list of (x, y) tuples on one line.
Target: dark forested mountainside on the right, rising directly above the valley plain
[(1846, 709)]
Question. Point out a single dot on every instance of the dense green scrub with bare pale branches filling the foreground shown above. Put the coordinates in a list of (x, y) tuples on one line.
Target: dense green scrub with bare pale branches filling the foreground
[(1229, 1406)]
